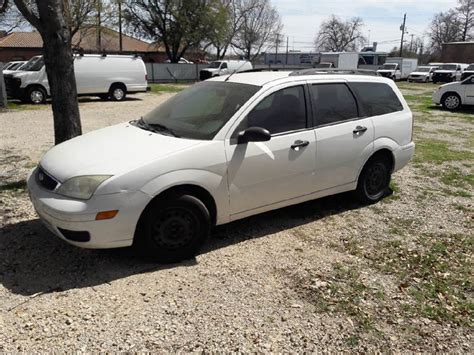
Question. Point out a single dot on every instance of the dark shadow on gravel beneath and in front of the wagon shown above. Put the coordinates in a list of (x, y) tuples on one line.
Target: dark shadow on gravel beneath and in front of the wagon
[(33, 261)]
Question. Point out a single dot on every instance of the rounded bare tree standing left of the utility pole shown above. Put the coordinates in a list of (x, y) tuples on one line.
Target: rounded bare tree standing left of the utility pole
[(335, 35)]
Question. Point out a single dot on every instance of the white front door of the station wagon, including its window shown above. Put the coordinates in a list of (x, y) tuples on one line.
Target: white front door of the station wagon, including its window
[(265, 173)]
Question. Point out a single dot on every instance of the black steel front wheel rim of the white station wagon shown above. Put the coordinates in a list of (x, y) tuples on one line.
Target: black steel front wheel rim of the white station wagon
[(174, 228)]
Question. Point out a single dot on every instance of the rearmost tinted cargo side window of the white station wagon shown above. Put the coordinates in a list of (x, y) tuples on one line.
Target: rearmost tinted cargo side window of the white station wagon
[(377, 98)]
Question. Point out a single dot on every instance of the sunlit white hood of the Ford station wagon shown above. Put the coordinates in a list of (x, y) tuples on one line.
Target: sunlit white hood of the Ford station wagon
[(110, 151)]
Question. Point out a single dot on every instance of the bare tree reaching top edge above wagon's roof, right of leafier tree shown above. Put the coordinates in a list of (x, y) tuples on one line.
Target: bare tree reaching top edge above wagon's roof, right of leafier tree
[(259, 28)]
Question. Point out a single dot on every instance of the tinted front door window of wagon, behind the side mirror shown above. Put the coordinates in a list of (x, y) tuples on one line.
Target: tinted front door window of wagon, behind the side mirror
[(282, 111)]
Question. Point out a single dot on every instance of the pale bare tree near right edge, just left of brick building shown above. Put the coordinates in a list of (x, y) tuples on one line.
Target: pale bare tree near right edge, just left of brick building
[(445, 27)]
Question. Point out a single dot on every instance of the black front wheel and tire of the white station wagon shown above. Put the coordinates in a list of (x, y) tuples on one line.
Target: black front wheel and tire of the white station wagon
[(171, 216)]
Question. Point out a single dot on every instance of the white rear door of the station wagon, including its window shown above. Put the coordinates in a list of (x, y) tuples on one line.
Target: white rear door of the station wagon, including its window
[(344, 140)]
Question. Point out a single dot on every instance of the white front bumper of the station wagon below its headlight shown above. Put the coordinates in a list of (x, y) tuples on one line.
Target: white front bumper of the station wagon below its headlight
[(61, 213)]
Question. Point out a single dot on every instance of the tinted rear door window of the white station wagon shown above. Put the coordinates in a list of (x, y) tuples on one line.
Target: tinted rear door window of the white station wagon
[(333, 103)]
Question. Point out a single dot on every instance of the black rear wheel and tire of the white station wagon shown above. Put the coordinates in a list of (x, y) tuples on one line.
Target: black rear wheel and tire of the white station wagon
[(374, 181)]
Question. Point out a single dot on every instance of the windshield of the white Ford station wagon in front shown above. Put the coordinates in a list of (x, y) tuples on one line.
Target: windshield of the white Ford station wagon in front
[(200, 111)]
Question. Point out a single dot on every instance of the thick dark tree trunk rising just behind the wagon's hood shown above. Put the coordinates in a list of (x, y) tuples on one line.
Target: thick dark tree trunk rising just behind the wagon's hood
[(59, 62)]
